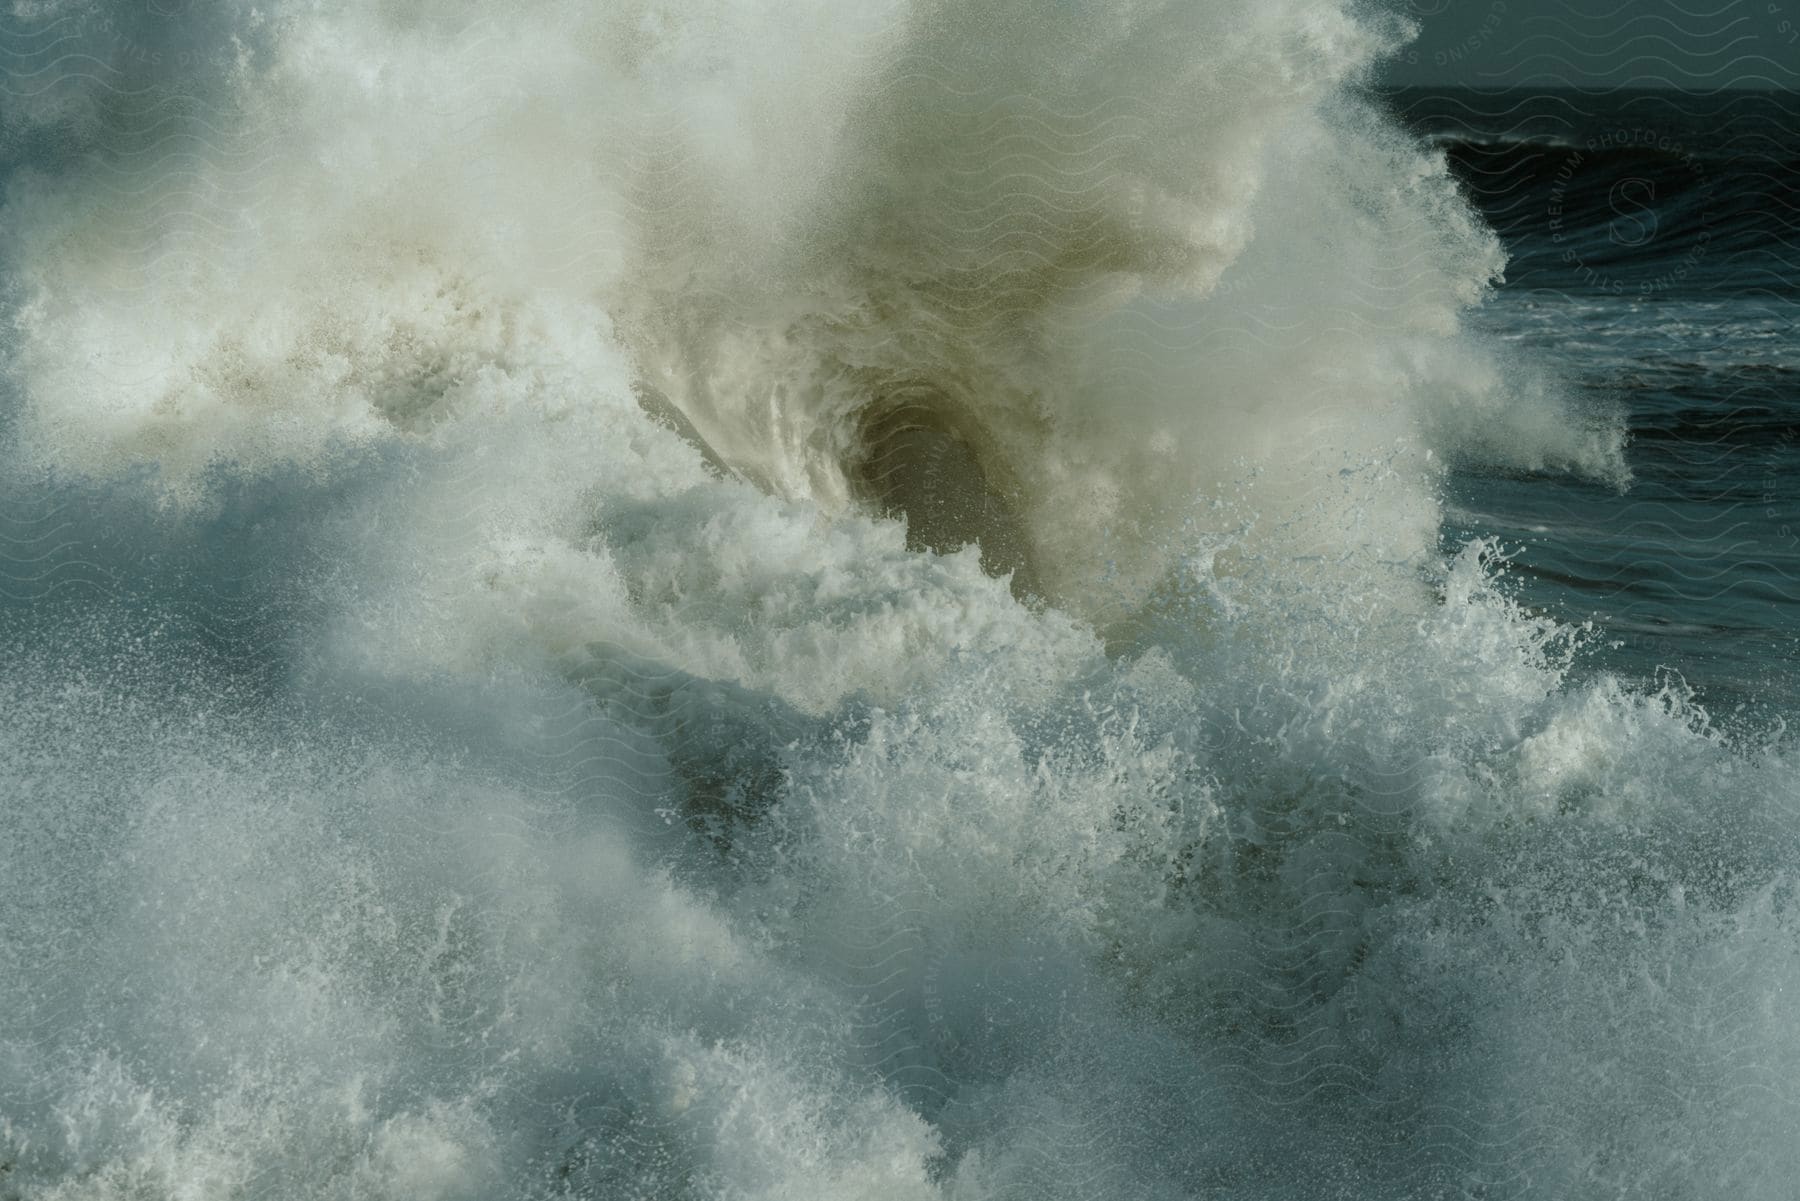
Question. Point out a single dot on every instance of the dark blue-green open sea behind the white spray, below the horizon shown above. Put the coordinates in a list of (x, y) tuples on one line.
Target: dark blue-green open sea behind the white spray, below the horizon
[(1655, 260)]
